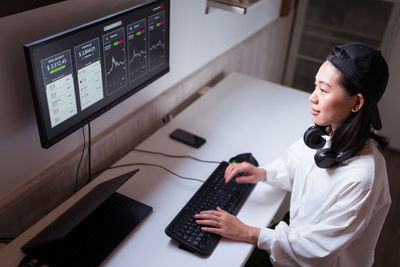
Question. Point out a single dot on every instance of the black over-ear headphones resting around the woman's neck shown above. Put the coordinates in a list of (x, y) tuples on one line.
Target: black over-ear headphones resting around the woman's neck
[(327, 157)]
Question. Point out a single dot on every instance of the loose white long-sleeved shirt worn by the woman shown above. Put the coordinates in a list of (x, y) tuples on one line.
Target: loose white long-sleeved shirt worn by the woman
[(336, 214)]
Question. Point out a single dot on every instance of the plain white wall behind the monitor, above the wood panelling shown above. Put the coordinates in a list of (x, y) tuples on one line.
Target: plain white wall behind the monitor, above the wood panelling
[(196, 39)]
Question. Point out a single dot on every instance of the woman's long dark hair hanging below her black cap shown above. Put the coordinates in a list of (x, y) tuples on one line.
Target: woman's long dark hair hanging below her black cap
[(356, 130)]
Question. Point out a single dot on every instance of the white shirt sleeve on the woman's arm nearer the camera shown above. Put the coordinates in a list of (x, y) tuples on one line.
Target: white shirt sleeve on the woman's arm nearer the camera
[(320, 243)]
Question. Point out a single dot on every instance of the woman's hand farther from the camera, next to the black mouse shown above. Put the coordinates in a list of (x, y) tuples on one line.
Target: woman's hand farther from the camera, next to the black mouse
[(253, 174)]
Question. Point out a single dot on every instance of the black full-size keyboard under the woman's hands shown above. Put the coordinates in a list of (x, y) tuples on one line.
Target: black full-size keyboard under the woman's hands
[(212, 194)]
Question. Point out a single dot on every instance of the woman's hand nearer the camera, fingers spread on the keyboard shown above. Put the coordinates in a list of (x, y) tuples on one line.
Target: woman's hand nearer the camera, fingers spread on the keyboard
[(222, 223)]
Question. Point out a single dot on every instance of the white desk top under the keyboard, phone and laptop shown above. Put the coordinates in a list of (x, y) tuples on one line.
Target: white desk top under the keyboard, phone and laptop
[(240, 114)]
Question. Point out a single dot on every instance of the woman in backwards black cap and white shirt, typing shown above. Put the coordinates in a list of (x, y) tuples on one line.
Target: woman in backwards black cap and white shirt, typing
[(336, 175)]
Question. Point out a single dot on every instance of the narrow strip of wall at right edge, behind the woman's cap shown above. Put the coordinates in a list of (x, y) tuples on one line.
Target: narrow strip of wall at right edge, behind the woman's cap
[(389, 106)]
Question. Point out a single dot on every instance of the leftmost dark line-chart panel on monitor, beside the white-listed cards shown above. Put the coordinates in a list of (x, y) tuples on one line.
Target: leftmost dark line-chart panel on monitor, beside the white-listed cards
[(114, 60)]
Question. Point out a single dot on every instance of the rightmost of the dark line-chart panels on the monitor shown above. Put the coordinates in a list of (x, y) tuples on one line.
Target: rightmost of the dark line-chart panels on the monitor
[(156, 39)]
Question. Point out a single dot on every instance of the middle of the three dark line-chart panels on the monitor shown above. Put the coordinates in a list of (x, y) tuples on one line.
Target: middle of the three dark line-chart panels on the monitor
[(137, 52)]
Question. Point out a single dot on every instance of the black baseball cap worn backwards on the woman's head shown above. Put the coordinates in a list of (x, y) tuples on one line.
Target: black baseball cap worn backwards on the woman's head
[(366, 68)]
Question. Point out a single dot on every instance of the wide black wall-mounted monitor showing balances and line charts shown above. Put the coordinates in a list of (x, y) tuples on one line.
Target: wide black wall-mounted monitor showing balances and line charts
[(79, 74)]
